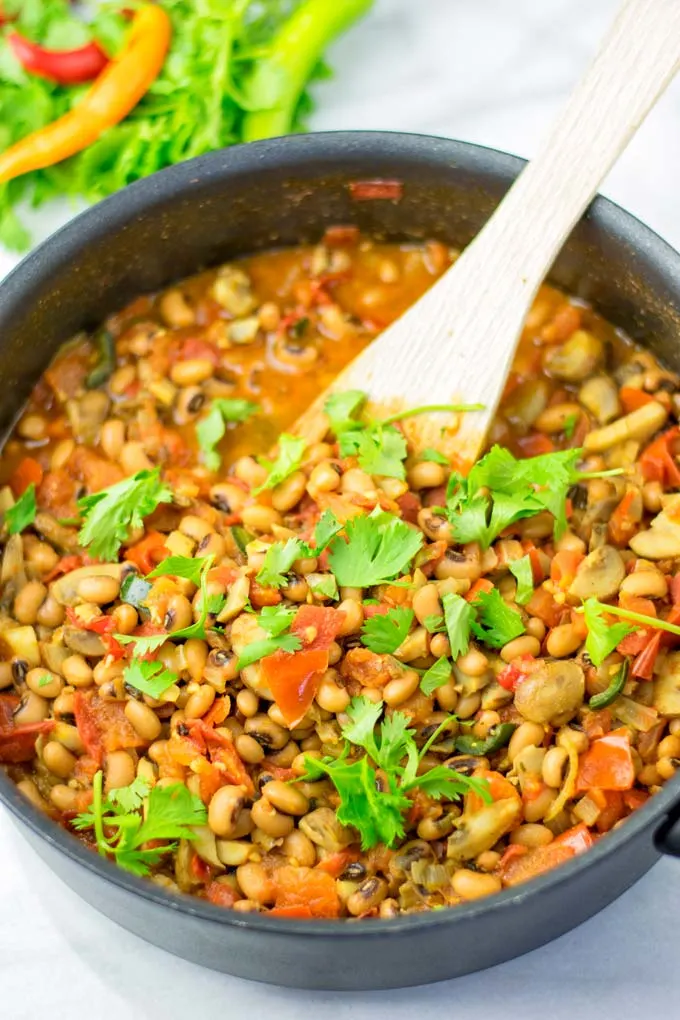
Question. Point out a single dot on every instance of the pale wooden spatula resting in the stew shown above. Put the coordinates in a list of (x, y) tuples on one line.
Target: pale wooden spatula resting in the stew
[(457, 343)]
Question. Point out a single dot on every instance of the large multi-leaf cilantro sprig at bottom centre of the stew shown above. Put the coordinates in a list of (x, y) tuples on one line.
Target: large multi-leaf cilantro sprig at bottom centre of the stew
[(378, 813)]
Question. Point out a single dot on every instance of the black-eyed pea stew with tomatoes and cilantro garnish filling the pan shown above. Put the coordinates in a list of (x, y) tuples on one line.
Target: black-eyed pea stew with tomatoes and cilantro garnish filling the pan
[(329, 676)]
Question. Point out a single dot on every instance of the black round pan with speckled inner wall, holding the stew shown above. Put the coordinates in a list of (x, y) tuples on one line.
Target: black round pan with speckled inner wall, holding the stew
[(285, 192)]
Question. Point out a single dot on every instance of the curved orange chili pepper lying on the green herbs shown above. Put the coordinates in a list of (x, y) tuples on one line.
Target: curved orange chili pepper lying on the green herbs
[(118, 90)]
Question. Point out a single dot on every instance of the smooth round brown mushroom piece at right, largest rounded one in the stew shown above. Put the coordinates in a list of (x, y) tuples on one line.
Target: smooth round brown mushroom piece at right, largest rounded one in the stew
[(553, 694)]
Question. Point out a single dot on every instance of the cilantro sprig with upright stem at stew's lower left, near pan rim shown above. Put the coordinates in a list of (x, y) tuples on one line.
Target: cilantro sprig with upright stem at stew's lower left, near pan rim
[(122, 830)]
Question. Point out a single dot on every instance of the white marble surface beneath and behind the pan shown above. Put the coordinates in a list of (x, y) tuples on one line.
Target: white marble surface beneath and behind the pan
[(492, 72)]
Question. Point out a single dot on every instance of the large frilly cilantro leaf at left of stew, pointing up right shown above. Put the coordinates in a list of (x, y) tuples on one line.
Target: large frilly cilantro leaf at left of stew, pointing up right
[(110, 516)]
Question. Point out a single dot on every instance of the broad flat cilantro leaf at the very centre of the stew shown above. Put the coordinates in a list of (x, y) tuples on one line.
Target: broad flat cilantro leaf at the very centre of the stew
[(378, 548)]
